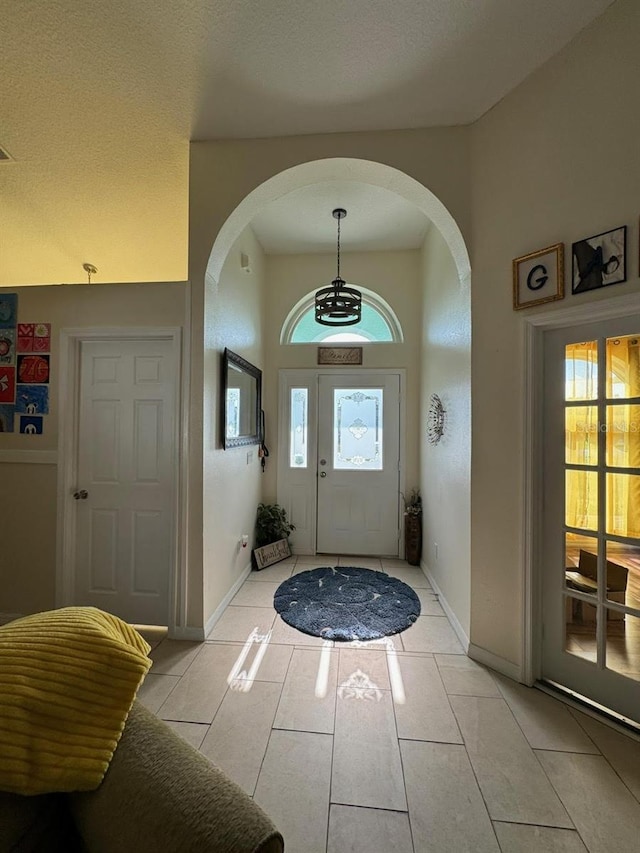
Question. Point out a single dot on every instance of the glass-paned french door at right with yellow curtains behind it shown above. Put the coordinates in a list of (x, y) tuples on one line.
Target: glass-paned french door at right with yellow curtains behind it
[(591, 518)]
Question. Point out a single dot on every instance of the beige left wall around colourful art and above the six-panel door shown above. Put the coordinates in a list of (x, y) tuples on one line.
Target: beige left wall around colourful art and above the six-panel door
[(28, 522)]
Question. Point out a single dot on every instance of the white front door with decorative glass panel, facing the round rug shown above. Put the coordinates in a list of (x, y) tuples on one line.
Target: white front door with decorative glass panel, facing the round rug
[(358, 464)]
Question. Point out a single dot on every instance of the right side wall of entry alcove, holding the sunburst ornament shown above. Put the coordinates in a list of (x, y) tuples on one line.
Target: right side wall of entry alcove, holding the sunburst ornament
[(445, 468)]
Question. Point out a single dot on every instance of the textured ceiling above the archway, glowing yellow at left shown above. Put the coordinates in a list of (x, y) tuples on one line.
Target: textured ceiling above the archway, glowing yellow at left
[(100, 100)]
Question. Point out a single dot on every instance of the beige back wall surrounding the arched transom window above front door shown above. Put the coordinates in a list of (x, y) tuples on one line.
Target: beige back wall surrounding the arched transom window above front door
[(392, 275)]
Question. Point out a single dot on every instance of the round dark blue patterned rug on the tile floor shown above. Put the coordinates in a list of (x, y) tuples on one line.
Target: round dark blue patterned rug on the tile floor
[(346, 603)]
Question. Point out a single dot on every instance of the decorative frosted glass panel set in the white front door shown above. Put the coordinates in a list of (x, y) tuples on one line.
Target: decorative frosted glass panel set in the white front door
[(357, 429)]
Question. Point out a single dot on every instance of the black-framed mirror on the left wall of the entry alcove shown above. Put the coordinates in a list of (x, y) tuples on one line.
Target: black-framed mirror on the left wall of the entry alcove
[(242, 395)]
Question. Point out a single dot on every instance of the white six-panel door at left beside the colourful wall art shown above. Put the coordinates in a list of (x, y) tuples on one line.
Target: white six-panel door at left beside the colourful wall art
[(126, 463)]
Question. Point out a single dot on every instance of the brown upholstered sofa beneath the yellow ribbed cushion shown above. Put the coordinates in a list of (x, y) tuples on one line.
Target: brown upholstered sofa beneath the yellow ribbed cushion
[(159, 795)]
